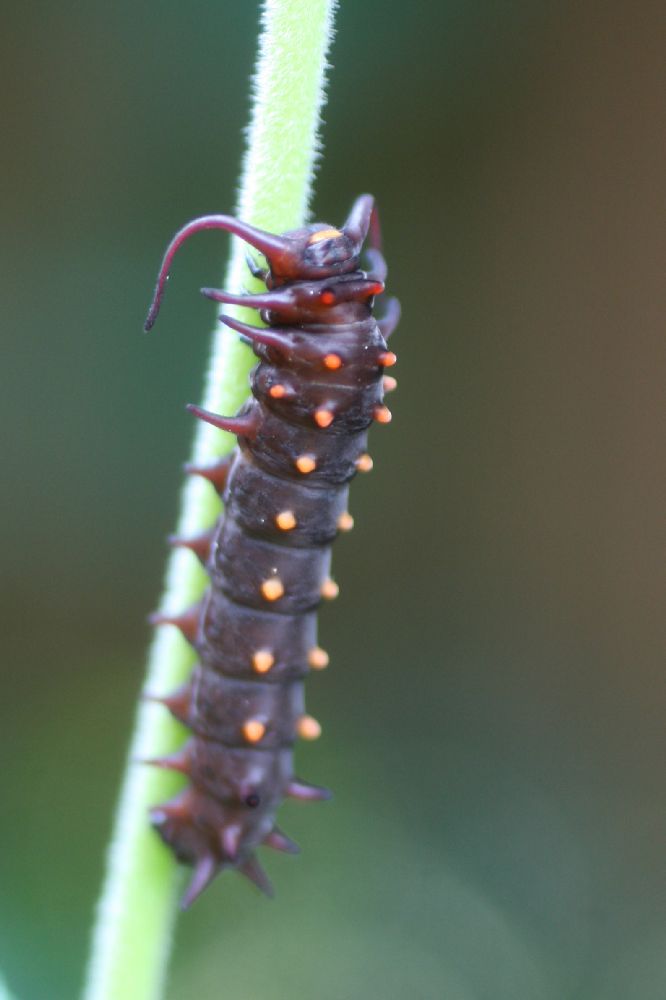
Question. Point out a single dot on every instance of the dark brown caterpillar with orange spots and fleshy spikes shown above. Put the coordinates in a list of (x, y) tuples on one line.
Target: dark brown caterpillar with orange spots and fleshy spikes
[(318, 386)]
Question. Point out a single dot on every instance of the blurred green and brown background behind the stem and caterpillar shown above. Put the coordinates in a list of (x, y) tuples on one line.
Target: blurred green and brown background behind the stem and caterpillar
[(493, 716)]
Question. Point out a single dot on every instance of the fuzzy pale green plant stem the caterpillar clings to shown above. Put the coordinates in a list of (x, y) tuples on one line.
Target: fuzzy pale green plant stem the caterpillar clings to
[(136, 913)]
